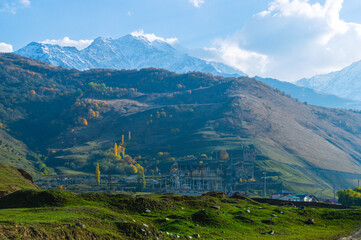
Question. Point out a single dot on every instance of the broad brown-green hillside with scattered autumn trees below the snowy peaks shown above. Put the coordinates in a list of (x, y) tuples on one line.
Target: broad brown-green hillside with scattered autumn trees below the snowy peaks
[(302, 147)]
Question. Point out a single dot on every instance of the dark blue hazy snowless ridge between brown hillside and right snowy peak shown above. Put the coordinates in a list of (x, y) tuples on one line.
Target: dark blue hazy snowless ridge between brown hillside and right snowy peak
[(306, 94)]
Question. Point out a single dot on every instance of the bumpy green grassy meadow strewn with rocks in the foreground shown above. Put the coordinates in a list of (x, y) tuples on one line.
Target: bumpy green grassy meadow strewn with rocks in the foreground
[(53, 214)]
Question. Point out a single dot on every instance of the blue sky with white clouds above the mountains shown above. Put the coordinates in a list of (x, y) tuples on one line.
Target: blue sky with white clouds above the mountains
[(284, 39)]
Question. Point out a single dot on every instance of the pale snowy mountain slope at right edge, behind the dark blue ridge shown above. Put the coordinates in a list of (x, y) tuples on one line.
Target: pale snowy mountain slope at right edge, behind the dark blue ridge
[(344, 83)]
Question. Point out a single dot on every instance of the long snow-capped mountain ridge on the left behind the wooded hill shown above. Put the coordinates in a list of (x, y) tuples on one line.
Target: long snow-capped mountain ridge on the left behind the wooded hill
[(128, 52)]
